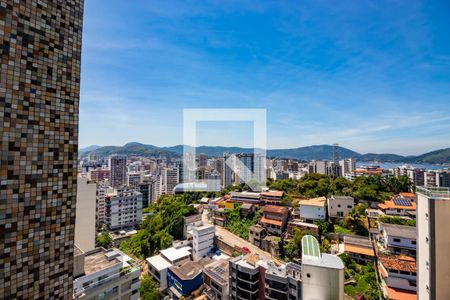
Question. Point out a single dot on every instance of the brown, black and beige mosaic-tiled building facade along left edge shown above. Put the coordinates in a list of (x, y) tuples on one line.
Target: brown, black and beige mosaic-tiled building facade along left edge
[(40, 51)]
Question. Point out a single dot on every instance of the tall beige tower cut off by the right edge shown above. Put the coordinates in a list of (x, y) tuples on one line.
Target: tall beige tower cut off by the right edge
[(433, 243)]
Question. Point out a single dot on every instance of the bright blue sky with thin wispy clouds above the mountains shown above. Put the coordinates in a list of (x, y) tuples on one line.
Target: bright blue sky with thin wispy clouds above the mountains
[(373, 76)]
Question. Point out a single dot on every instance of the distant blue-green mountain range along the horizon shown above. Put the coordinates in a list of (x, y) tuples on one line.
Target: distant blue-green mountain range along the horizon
[(315, 152)]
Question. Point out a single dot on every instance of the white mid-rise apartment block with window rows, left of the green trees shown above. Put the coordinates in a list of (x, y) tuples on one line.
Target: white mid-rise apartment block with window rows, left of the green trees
[(123, 208)]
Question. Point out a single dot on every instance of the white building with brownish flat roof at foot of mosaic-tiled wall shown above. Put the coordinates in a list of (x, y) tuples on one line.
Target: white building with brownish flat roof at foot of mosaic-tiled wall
[(105, 274)]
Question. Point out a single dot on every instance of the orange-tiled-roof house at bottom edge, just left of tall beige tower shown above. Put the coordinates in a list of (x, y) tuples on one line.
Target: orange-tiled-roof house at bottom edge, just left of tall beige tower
[(398, 276)]
